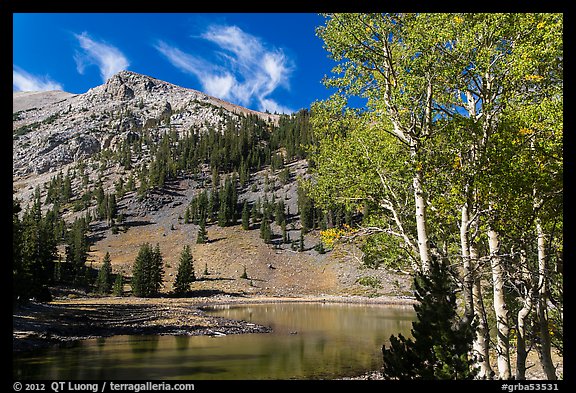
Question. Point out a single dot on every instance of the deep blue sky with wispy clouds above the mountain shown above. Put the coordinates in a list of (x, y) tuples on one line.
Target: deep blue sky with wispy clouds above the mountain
[(271, 62)]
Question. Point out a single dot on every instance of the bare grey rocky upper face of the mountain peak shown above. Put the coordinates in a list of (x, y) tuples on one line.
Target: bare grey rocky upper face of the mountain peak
[(51, 129)]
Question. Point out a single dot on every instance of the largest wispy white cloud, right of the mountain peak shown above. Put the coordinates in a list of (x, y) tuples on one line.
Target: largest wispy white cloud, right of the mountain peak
[(248, 73)]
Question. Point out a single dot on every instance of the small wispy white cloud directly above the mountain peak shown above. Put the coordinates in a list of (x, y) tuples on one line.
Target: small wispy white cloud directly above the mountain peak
[(108, 58)]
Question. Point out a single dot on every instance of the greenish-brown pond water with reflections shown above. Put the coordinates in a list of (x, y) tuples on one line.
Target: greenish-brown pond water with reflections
[(309, 341)]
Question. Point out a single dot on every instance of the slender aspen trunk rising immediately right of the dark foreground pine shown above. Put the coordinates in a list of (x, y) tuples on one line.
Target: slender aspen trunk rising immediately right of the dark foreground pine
[(481, 344)]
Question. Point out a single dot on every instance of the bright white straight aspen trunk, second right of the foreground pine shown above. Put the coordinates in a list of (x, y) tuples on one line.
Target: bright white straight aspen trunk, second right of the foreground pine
[(500, 309)]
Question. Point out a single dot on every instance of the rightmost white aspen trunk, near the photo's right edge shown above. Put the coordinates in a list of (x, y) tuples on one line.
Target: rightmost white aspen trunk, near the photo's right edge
[(544, 348)]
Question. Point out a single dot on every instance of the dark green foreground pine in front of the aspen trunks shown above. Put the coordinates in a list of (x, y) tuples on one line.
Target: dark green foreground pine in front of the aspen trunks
[(441, 340)]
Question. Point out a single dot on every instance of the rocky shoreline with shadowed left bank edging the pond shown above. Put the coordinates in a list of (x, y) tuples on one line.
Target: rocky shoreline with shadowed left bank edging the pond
[(40, 325)]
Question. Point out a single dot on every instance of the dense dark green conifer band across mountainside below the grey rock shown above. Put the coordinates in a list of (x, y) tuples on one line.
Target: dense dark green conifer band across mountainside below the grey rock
[(241, 146)]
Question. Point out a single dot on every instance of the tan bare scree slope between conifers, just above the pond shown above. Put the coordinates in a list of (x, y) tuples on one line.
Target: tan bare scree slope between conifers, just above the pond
[(273, 270)]
